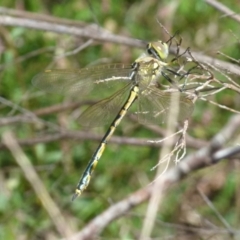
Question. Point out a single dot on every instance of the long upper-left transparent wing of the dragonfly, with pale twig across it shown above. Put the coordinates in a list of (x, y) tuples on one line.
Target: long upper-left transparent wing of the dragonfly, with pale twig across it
[(82, 82)]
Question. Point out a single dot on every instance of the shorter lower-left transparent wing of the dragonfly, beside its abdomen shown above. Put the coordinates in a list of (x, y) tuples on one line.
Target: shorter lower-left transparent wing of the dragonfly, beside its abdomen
[(105, 110)]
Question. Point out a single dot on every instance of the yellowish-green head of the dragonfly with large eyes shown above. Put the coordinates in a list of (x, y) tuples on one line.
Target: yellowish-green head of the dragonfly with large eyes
[(158, 50)]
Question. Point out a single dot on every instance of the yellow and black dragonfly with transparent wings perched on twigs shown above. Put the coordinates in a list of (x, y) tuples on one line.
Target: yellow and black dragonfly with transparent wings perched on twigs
[(138, 83)]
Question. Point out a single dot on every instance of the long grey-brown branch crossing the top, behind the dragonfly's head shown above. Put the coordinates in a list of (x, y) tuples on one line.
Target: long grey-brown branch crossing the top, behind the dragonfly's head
[(61, 26)]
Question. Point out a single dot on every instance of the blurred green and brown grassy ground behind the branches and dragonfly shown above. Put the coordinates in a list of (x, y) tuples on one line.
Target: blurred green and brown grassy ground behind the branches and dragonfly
[(123, 168)]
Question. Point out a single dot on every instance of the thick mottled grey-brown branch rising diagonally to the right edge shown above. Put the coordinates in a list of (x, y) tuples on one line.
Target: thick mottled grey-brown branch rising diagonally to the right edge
[(196, 161)]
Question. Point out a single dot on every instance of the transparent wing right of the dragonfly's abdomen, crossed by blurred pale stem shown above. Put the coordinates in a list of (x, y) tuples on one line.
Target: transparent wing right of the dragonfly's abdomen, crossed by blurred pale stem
[(154, 106)]
